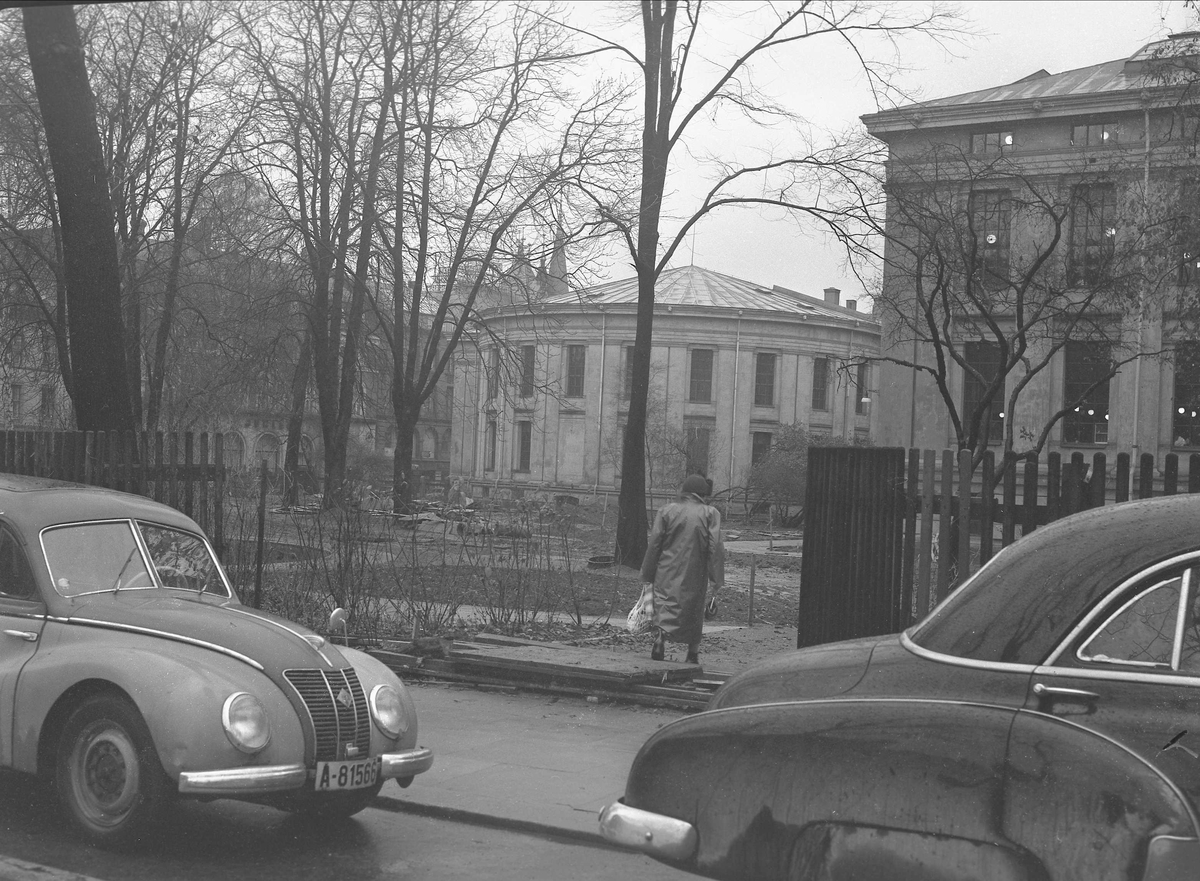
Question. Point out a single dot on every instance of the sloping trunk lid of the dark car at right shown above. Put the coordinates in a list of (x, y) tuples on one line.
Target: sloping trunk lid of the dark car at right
[(807, 674)]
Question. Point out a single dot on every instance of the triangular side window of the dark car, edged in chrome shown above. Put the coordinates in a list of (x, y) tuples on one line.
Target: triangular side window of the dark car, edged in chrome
[(1141, 633)]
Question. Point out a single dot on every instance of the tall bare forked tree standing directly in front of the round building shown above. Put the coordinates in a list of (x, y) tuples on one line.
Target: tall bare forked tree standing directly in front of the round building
[(818, 183)]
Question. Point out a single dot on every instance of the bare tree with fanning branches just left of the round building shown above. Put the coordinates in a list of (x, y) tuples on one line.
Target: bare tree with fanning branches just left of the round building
[(488, 145)]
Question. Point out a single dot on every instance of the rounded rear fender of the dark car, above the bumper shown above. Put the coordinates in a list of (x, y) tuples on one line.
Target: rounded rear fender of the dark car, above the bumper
[(839, 788)]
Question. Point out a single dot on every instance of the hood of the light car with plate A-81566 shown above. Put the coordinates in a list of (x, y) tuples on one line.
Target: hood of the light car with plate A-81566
[(263, 639)]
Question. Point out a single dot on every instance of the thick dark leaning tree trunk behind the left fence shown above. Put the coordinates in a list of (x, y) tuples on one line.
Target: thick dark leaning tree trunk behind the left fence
[(100, 379)]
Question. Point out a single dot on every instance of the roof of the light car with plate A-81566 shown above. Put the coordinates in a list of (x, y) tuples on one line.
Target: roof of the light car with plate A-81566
[(34, 504)]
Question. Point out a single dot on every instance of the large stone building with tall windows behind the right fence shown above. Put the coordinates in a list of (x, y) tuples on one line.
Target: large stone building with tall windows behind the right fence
[(1113, 151)]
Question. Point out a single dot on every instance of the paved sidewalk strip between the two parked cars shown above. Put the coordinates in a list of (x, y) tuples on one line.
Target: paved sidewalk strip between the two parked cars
[(524, 762)]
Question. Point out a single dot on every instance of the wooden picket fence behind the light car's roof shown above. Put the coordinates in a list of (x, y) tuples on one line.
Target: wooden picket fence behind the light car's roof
[(184, 471)]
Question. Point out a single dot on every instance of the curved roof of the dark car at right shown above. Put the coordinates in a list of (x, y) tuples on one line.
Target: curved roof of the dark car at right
[(1024, 602)]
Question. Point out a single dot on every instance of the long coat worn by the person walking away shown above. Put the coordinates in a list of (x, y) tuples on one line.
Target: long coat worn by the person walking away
[(685, 554)]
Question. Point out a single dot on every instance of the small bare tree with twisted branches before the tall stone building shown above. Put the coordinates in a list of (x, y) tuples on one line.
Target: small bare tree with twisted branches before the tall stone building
[(993, 272)]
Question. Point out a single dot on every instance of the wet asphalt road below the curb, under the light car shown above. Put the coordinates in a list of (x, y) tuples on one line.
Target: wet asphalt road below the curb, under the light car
[(229, 841)]
